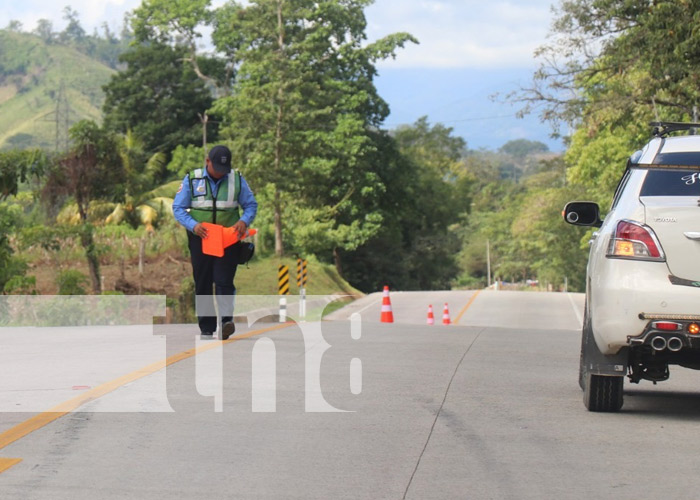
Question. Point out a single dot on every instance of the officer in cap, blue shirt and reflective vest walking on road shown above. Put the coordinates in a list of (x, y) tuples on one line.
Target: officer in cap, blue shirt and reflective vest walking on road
[(214, 194)]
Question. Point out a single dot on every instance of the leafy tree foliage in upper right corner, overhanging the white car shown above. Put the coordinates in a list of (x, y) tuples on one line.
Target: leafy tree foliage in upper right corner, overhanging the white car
[(611, 68)]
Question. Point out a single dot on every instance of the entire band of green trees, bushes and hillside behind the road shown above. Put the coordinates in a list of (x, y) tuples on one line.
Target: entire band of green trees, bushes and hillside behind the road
[(412, 208)]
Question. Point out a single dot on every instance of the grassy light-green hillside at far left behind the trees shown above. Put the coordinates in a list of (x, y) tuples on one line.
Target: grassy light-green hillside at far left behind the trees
[(44, 88)]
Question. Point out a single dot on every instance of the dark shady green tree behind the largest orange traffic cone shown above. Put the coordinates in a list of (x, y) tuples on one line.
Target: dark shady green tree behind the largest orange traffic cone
[(426, 191)]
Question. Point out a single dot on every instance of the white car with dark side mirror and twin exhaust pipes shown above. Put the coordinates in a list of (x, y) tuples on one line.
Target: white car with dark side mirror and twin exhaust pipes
[(642, 309)]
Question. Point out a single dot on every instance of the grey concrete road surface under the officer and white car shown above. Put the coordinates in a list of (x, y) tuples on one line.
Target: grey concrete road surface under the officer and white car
[(485, 409)]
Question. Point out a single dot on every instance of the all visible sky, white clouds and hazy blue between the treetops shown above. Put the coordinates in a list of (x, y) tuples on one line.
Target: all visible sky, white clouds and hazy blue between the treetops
[(469, 50)]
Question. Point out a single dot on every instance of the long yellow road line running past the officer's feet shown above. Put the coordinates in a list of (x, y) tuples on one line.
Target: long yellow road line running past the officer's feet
[(42, 419)]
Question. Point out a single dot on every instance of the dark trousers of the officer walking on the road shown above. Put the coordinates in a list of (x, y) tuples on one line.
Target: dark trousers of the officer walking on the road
[(213, 273)]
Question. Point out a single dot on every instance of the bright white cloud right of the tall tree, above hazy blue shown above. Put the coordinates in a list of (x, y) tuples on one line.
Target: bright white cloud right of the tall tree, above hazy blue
[(463, 33)]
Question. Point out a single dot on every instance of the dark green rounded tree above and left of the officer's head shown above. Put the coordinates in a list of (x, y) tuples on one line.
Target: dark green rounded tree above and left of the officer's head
[(158, 98)]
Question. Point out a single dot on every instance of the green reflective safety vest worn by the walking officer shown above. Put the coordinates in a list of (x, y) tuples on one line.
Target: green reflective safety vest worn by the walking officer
[(220, 210)]
